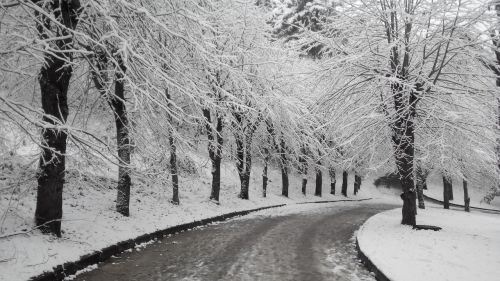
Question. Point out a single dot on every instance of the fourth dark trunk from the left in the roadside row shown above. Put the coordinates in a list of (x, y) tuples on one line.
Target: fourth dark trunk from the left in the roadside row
[(215, 143)]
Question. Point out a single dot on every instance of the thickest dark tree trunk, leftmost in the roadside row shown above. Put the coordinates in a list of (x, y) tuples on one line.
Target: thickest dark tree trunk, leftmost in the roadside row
[(54, 81)]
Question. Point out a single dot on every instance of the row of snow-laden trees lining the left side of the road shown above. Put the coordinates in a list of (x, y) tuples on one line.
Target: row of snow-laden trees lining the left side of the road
[(160, 71)]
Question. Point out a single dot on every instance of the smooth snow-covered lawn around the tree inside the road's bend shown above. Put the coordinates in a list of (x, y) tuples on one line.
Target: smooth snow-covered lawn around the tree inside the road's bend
[(467, 248)]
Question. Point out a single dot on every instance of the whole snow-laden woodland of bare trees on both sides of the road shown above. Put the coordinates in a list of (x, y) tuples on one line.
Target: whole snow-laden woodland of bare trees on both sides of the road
[(135, 89)]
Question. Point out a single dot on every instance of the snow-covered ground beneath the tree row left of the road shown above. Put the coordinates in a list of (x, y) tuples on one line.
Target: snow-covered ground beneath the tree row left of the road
[(90, 222)]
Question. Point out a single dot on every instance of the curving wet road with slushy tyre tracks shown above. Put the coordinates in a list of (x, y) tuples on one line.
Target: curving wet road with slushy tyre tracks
[(301, 242)]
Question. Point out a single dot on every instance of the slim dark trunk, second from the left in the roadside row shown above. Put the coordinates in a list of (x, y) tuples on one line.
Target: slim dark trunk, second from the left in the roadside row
[(123, 141)]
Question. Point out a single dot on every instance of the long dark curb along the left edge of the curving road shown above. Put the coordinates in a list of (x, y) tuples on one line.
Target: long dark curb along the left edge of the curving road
[(61, 271)]
